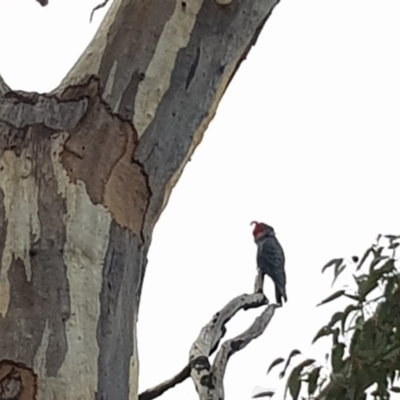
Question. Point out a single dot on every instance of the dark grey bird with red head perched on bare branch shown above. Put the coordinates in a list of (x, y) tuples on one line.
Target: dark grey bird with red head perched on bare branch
[(270, 258)]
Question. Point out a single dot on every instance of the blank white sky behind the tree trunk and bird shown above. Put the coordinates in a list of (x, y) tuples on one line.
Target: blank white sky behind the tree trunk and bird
[(305, 139)]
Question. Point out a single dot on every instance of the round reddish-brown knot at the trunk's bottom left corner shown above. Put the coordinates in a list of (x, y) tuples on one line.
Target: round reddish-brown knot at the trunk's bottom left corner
[(17, 382)]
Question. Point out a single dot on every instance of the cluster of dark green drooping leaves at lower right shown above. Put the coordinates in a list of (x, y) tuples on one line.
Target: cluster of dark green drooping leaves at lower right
[(365, 335)]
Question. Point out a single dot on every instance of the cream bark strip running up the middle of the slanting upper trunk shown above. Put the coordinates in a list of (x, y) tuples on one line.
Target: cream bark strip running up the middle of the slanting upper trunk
[(175, 36)]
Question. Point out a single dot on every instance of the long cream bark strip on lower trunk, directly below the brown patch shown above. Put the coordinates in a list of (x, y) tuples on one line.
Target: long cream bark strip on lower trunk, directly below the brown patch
[(87, 234)]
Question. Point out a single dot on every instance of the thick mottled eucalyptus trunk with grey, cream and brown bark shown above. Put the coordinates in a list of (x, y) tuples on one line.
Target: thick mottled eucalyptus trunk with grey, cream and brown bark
[(86, 171)]
